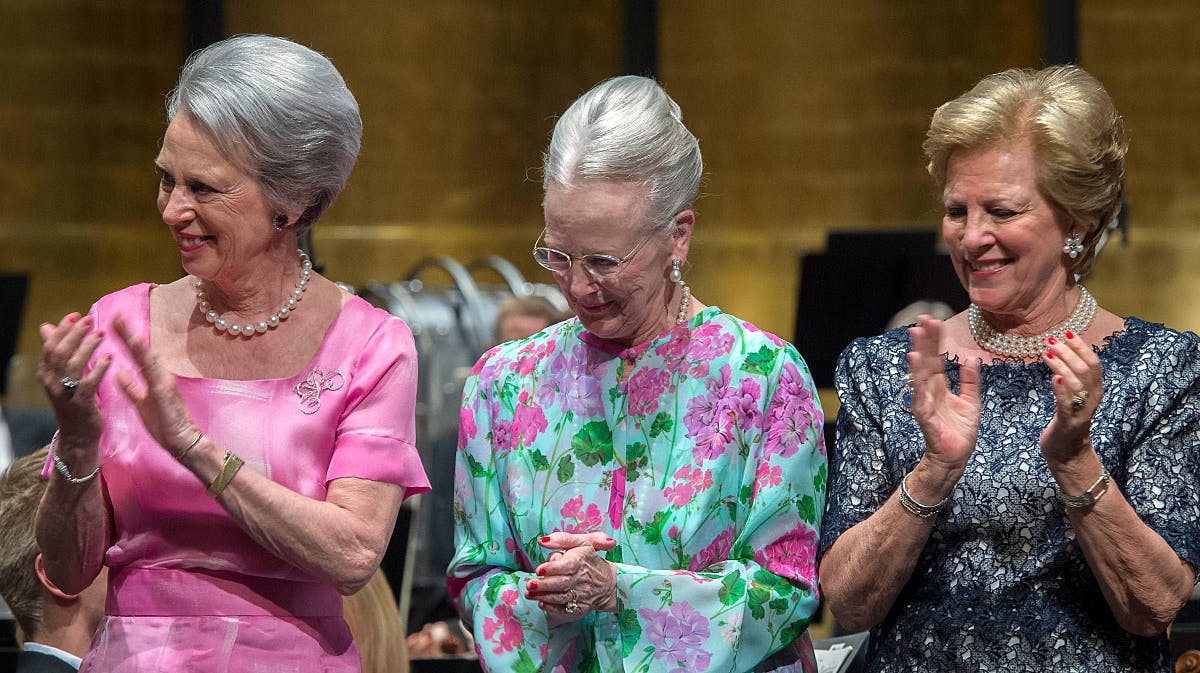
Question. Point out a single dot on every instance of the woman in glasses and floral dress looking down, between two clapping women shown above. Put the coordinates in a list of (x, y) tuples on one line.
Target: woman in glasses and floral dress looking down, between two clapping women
[(640, 488)]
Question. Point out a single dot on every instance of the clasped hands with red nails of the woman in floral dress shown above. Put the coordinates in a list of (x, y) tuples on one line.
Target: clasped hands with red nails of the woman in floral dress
[(575, 574)]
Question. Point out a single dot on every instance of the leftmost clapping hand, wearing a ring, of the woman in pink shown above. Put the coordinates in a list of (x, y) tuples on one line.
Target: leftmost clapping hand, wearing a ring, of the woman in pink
[(67, 351)]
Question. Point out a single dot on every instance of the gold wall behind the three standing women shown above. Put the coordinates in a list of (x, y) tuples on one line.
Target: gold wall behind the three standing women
[(811, 117)]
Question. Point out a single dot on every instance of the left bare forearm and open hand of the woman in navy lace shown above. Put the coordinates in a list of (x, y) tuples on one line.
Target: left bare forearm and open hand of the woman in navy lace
[(863, 573)]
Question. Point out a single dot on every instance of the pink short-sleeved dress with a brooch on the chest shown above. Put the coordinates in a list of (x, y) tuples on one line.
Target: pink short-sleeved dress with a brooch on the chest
[(189, 591)]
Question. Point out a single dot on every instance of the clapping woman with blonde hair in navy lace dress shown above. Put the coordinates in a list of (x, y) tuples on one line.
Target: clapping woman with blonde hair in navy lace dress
[(1017, 489)]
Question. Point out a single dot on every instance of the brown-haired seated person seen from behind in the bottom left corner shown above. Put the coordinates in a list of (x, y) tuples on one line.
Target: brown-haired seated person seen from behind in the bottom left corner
[(56, 628)]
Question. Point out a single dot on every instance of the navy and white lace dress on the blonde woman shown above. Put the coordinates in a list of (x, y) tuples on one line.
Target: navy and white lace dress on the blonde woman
[(1003, 584)]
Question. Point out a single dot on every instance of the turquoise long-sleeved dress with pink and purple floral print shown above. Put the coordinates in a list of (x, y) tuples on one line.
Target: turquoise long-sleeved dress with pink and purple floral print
[(700, 453)]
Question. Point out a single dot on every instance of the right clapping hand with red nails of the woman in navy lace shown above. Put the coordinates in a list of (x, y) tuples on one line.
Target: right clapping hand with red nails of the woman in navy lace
[(1078, 389)]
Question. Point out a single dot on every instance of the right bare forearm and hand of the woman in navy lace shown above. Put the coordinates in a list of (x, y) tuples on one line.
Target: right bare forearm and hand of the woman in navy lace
[(1143, 579)]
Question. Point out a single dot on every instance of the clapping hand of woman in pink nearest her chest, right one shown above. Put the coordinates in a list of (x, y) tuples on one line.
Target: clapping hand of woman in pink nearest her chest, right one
[(157, 398)]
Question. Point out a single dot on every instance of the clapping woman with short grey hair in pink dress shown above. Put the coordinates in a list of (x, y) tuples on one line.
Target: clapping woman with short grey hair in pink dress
[(242, 464)]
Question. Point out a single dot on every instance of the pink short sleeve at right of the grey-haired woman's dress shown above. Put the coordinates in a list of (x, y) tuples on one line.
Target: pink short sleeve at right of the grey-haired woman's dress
[(376, 432)]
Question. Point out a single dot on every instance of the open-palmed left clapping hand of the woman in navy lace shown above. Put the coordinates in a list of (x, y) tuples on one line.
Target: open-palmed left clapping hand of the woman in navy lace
[(950, 423)]
